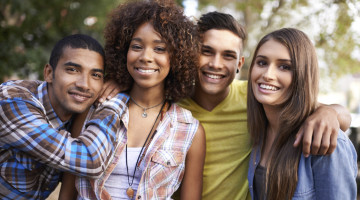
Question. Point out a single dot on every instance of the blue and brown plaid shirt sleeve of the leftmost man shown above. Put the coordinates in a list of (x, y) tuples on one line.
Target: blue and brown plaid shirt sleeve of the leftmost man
[(24, 127)]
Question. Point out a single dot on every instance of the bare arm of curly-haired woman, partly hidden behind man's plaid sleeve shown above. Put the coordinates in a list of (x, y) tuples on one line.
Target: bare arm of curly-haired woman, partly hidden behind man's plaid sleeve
[(68, 190)]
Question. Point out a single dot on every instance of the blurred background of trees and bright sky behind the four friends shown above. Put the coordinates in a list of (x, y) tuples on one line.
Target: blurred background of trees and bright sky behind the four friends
[(29, 29)]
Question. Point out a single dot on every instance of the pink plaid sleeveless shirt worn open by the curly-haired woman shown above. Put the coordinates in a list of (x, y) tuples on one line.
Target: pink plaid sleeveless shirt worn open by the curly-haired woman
[(164, 160)]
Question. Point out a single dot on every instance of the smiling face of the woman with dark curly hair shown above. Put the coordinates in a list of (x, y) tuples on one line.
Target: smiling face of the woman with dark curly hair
[(148, 59)]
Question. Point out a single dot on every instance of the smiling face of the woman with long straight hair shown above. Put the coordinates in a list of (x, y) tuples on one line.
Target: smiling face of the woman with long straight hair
[(271, 75)]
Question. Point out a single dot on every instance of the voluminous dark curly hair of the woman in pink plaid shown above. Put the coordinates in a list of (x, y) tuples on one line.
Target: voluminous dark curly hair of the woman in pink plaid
[(176, 30)]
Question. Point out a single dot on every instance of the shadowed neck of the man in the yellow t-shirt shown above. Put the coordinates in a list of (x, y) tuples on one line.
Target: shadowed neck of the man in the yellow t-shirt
[(209, 101)]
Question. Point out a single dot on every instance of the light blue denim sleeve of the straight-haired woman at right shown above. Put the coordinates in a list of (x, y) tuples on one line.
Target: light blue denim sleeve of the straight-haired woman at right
[(335, 175)]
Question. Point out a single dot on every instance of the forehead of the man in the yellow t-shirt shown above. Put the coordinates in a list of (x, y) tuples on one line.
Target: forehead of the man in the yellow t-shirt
[(222, 40)]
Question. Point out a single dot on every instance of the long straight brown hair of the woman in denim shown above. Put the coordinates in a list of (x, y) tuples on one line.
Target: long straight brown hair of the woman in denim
[(282, 166)]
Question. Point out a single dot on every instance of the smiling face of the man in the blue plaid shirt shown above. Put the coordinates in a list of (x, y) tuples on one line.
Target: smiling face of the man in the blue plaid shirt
[(76, 82)]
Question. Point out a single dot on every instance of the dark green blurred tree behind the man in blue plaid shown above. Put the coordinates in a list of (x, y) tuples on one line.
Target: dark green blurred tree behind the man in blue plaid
[(29, 29)]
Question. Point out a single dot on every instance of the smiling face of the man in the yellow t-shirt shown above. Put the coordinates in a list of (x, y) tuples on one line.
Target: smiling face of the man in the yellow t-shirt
[(219, 60)]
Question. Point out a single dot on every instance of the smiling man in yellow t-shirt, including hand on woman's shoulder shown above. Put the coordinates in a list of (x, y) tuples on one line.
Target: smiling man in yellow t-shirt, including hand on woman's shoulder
[(219, 103)]
